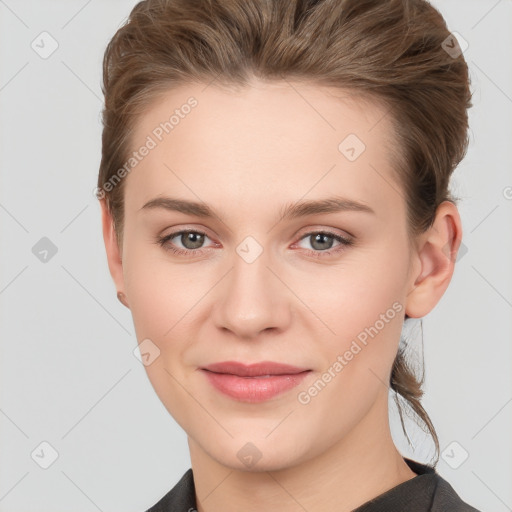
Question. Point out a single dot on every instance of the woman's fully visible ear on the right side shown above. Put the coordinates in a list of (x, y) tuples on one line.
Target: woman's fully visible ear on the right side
[(434, 261)]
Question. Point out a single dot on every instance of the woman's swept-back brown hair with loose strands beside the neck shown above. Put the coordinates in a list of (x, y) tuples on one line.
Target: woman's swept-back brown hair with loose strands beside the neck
[(392, 51)]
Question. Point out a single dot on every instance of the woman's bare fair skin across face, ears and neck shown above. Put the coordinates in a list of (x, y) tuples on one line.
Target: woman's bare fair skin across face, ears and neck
[(248, 153)]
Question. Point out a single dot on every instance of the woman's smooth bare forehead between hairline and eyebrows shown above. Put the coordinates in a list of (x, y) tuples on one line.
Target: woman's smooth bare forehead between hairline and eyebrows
[(266, 142)]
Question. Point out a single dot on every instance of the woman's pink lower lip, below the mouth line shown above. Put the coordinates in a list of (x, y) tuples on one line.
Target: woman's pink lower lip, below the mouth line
[(253, 389)]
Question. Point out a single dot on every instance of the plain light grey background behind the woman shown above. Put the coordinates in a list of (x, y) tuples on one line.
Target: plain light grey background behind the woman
[(68, 373)]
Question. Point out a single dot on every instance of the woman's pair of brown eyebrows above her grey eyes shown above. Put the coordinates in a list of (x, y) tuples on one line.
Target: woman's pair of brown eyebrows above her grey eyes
[(288, 211)]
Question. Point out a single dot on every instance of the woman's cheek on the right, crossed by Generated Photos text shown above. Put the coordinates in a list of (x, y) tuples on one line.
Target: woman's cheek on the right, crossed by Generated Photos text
[(363, 306)]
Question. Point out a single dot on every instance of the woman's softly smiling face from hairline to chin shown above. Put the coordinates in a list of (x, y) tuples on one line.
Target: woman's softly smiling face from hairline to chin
[(252, 283)]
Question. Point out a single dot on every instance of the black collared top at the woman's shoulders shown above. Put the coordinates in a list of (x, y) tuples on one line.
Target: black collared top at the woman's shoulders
[(426, 492)]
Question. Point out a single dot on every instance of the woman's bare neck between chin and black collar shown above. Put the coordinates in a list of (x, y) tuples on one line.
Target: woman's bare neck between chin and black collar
[(358, 467)]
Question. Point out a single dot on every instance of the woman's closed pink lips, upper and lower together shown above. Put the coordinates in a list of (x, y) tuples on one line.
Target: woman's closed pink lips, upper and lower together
[(255, 382)]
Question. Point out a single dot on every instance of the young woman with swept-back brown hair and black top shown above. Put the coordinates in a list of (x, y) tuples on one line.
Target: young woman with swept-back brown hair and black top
[(275, 204)]
